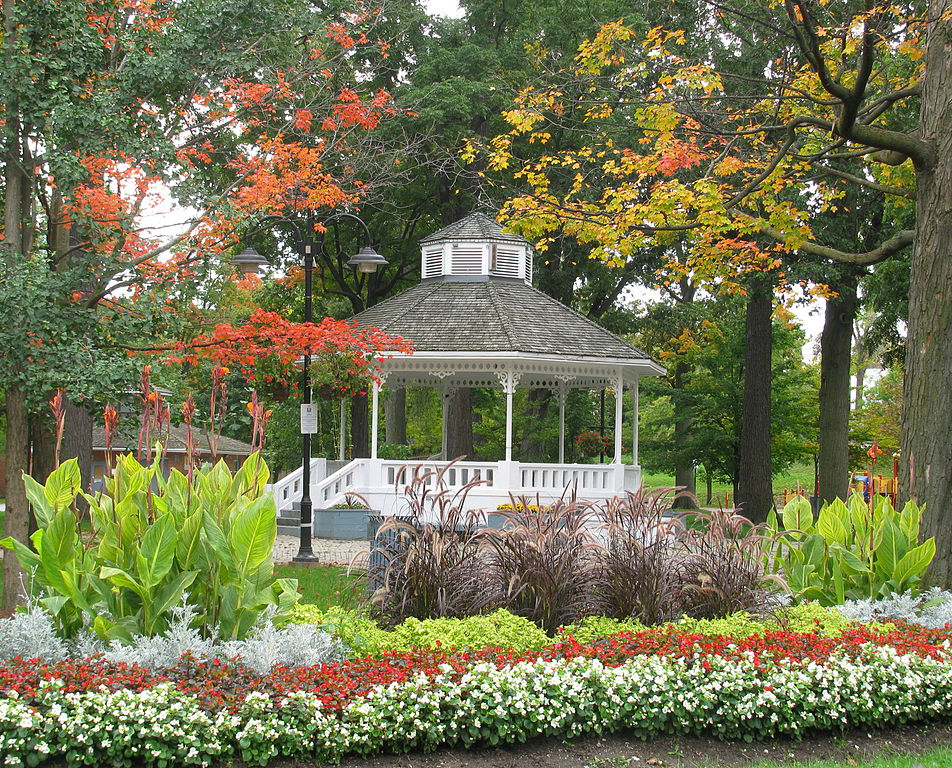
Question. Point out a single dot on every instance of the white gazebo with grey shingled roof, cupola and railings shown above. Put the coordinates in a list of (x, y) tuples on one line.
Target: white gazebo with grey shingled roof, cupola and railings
[(476, 321)]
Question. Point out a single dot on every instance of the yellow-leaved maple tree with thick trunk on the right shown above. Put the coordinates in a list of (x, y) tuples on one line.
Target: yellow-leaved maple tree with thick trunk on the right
[(736, 167)]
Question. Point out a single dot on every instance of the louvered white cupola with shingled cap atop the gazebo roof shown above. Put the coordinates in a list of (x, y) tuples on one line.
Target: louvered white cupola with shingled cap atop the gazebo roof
[(476, 248)]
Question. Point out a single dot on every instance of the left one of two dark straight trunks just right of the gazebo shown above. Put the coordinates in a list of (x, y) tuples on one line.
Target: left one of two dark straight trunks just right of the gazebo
[(754, 481)]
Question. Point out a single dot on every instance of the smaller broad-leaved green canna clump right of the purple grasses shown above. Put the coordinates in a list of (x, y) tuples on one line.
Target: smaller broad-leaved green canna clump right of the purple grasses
[(849, 552)]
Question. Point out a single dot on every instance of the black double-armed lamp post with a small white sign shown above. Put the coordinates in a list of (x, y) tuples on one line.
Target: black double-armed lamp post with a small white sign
[(366, 260)]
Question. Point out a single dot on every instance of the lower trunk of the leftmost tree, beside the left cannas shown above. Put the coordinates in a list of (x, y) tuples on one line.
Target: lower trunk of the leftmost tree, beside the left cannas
[(17, 521)]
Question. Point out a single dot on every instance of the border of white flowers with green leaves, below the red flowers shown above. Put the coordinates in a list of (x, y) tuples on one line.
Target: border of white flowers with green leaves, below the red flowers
[(645, 696)]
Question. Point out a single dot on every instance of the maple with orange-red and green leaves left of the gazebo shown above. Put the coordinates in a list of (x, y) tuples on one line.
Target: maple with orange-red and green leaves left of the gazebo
[(127, 120)]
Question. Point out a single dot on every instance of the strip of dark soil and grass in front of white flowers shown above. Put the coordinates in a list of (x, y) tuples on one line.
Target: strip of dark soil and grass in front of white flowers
[(621, 752)]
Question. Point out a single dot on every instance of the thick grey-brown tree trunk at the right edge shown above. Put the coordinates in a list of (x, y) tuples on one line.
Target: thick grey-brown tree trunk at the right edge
[(926, 464)]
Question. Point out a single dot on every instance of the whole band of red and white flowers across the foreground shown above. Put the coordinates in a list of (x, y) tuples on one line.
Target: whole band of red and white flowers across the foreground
[(93, 713)]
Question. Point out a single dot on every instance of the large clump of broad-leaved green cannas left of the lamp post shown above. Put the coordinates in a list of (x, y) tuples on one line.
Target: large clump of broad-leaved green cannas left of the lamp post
[(152, 542)]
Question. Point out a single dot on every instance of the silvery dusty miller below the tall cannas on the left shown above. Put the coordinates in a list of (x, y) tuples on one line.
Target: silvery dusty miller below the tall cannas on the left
[(32, 635)]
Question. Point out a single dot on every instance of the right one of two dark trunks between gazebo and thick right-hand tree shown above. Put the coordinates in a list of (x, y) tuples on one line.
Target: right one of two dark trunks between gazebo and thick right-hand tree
[(835, 345)]
